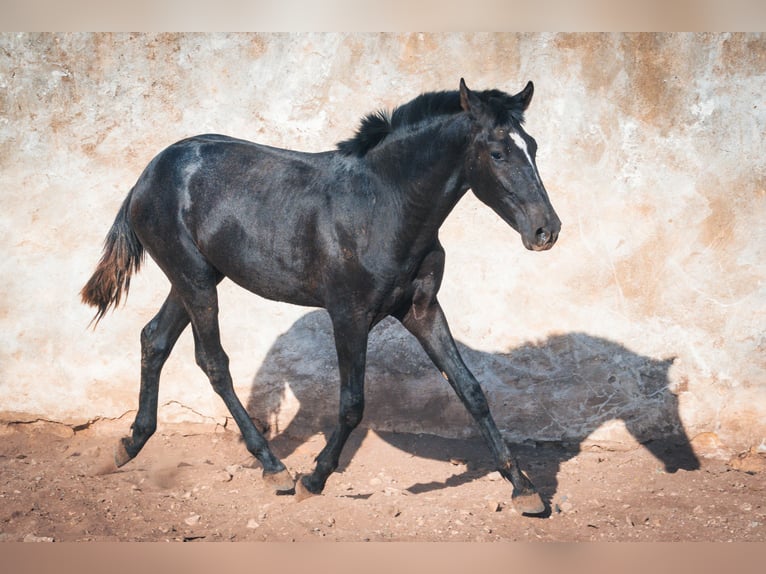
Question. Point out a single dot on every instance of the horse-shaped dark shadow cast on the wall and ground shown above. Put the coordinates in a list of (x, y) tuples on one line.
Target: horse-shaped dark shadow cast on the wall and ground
[(558, 391)]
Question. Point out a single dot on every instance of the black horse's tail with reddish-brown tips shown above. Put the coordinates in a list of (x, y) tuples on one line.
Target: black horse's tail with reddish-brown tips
[(122, 256)]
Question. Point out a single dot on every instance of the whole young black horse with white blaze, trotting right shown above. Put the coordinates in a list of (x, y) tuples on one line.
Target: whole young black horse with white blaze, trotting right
[(353, 230)]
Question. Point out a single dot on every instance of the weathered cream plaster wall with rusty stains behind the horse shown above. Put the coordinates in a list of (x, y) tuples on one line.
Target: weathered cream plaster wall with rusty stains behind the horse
[(647, 317)]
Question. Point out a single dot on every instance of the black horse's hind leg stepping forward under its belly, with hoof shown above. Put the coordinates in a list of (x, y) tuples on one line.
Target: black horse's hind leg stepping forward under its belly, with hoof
[(202, 305)]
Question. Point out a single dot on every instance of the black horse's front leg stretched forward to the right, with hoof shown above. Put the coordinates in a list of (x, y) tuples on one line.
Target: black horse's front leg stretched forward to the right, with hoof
[(427, 322)]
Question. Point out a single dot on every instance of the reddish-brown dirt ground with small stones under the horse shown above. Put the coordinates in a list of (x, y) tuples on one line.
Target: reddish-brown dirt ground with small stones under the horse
[(197, 483)]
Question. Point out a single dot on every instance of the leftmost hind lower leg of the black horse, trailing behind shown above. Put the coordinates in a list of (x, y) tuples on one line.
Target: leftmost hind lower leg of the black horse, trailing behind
[(157, 340)]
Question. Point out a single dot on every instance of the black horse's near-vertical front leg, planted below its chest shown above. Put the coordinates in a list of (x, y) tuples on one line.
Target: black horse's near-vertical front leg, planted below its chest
[(351, 346)]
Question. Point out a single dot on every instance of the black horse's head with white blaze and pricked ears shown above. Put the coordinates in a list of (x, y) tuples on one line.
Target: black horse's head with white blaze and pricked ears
[(501, 166)]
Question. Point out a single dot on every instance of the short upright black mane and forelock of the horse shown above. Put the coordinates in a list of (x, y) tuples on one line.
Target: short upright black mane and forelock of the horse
[(375, 127)]
